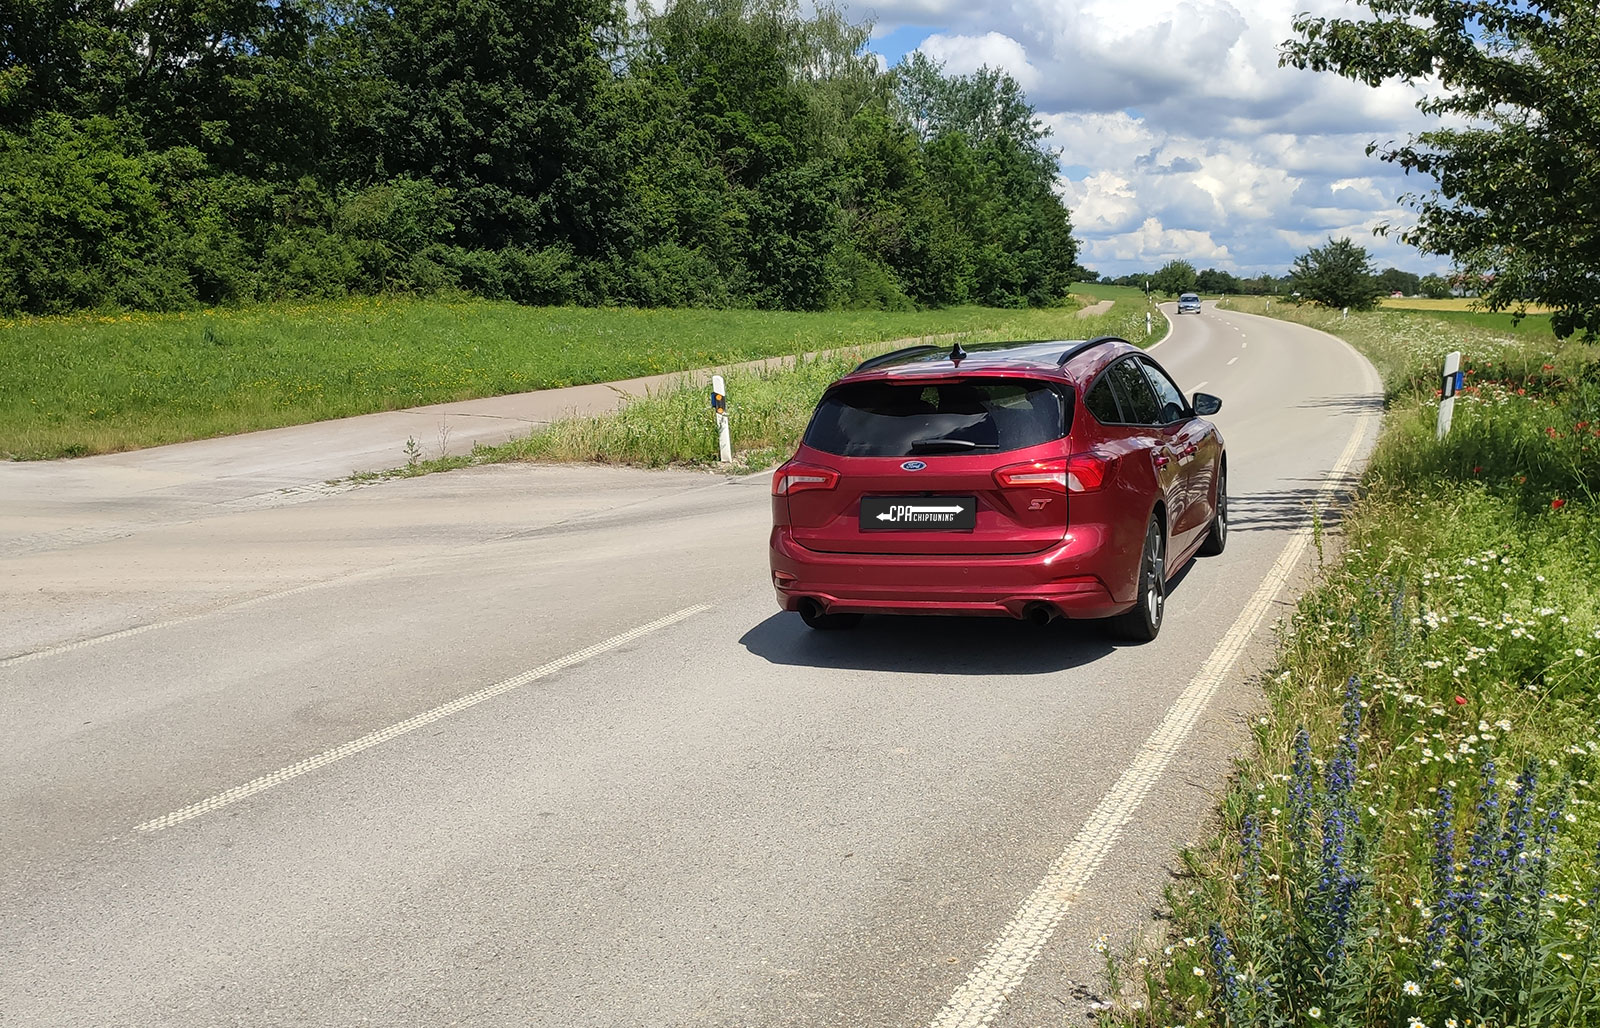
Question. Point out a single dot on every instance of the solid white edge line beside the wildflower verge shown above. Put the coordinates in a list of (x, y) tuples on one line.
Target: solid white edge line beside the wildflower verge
[(978, 1000)]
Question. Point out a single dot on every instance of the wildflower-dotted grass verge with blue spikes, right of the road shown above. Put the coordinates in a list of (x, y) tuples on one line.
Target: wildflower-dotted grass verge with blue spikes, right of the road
[(1415, 838)]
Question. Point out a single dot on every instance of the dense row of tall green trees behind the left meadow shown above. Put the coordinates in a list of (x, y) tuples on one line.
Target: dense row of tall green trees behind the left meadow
[(721, 153)]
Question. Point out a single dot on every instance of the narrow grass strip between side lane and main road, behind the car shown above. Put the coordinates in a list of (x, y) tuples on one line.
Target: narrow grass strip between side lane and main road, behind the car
[(767, 411)]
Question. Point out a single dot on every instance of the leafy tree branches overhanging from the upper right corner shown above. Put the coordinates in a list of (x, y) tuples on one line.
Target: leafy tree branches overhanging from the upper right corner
[(1518, 198)]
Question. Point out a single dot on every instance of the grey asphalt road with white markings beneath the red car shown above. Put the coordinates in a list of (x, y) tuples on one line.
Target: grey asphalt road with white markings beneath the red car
[(532, 747)]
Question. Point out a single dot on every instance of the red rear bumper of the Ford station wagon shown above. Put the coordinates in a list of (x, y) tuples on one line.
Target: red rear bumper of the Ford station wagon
[(983, 585)]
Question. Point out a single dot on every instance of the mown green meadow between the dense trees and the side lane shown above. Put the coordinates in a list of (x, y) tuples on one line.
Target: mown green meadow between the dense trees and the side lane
[(92, 385)]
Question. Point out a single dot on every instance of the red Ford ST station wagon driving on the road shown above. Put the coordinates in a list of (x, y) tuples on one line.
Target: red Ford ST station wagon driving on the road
[(1025, 480)]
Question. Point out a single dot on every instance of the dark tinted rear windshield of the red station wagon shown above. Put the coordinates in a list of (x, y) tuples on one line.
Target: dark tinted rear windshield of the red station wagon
[(938, 419)]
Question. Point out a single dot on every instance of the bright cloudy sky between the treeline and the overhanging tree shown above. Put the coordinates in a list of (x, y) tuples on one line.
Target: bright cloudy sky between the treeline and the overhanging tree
[(1180, 135)]
